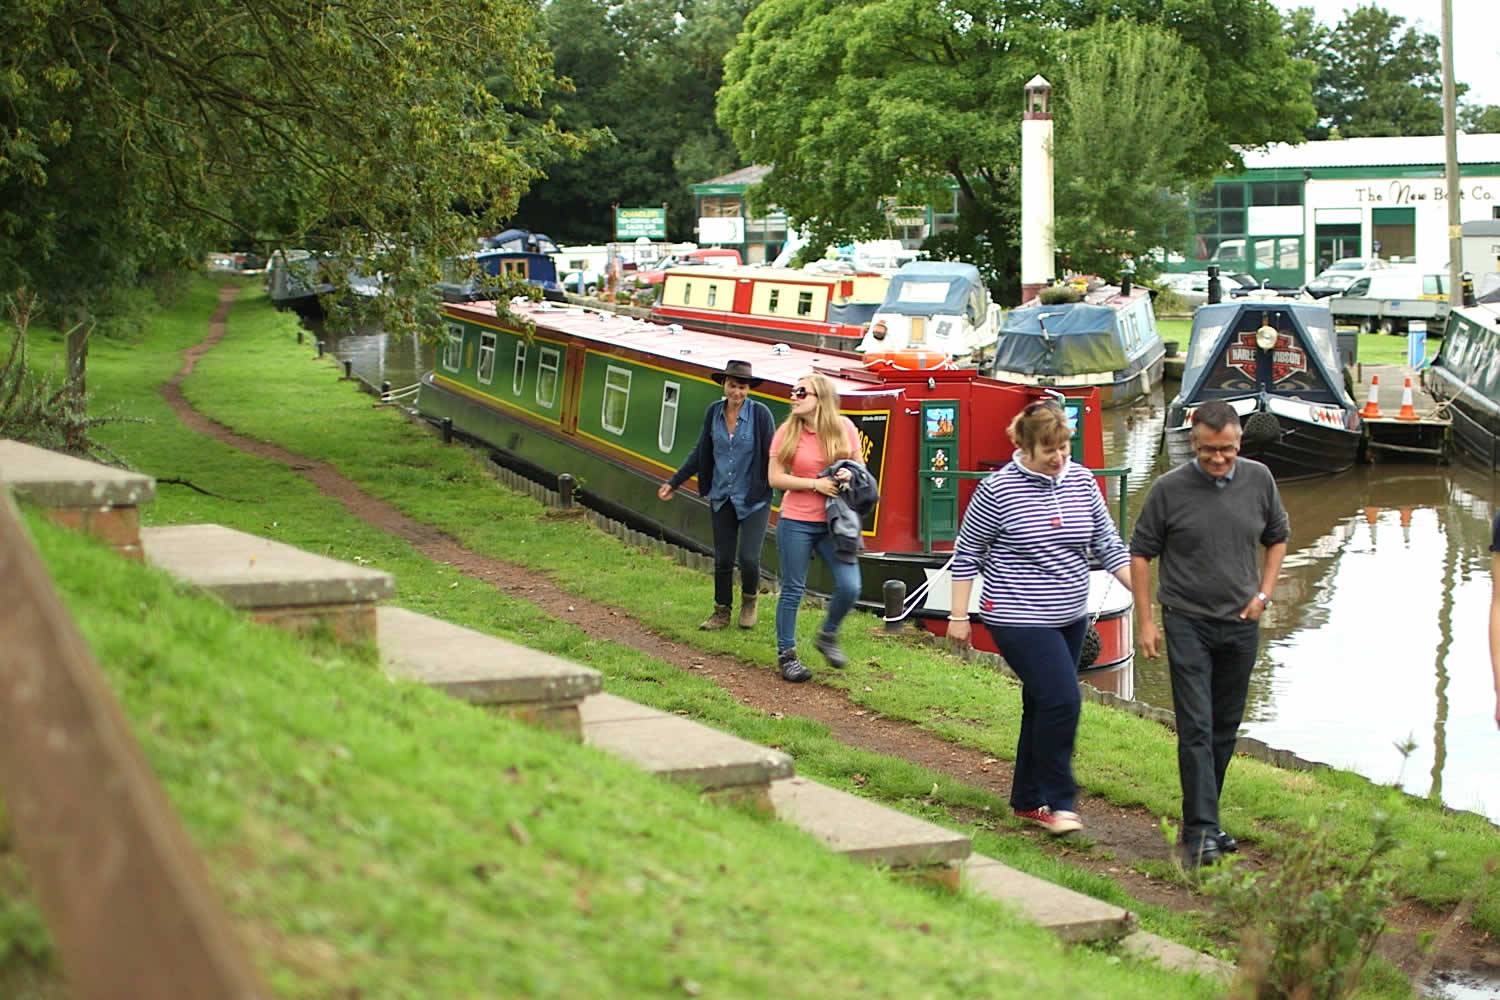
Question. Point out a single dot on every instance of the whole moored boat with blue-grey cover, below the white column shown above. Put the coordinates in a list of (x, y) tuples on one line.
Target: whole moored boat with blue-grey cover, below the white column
[(1108, 340)]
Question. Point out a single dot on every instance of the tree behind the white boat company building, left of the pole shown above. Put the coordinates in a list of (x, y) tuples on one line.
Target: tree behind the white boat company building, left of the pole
[(1375, 76)]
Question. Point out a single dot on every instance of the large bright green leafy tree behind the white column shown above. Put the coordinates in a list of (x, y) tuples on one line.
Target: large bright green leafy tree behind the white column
[(868, 101)]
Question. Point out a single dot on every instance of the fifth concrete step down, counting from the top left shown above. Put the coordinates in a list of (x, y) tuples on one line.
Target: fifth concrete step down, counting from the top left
[(871, 833)]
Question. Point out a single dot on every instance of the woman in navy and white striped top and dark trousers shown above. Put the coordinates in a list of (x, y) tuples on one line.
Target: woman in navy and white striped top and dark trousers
[(1030, 528)]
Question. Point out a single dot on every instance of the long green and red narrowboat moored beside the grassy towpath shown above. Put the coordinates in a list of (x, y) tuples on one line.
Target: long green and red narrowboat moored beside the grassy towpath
[(619, 404)]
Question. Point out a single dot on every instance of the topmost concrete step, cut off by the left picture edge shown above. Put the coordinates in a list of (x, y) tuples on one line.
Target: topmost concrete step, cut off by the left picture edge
[(88, 497)]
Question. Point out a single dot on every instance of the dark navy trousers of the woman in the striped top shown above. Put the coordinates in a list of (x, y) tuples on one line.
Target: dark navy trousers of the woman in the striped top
[(1048, 663)]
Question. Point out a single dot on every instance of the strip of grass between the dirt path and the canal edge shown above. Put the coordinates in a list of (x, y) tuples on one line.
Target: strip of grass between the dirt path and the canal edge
[(259, 377)]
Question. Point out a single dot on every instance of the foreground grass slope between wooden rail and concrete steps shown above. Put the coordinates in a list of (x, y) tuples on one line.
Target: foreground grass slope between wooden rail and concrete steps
[(382, 840)]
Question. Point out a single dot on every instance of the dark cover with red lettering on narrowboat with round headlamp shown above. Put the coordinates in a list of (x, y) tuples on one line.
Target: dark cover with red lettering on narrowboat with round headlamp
[(1304, 365)]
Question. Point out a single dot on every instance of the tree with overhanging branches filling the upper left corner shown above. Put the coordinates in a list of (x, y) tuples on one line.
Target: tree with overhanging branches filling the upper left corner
[(134, 136)]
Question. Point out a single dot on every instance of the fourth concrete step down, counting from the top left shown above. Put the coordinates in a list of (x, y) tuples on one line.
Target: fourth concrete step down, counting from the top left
[(682, 750)]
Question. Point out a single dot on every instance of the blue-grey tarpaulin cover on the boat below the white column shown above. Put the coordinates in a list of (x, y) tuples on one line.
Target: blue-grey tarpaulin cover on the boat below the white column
[(1063, 340)]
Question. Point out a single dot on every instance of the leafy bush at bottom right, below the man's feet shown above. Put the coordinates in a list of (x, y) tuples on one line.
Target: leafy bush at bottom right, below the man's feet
[(1309, 930)]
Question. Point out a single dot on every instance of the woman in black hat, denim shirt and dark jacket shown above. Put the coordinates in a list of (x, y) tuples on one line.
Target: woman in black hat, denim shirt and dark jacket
[(731, 461)]
